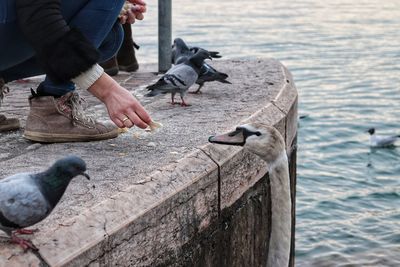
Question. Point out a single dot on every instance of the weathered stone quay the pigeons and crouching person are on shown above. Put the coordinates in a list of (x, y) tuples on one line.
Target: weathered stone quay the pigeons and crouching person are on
[(156, 198)]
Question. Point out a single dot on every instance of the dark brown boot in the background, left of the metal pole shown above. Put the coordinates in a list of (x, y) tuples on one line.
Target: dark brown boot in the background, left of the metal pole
[(126, 55)]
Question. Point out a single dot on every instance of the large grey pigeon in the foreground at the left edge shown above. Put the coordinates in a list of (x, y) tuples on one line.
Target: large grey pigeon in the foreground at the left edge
[(26, 198)]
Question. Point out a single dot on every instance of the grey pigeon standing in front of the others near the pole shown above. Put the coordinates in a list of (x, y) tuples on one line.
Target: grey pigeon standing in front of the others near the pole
[(180, 77)]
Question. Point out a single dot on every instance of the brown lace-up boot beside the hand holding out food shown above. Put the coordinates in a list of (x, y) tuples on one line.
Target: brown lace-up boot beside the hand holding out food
[(56, 120)]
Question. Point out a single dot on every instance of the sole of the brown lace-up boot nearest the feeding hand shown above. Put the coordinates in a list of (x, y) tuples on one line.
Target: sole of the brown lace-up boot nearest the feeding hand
[(64, 138)]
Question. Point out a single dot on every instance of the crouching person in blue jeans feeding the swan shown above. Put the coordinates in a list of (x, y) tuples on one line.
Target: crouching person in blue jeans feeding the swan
[(65, 40)]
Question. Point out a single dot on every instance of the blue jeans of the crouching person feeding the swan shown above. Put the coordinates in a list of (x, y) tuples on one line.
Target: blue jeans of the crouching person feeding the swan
[(96, 19)]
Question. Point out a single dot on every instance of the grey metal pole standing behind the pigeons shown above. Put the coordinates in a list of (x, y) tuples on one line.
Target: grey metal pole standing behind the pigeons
[(164, 34)]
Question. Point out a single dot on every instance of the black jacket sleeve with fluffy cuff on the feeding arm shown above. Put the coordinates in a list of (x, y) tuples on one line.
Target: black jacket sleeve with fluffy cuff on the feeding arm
[(64, 53)]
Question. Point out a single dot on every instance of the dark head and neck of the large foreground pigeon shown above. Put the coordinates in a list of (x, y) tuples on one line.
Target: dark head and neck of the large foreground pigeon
[(54, 181)]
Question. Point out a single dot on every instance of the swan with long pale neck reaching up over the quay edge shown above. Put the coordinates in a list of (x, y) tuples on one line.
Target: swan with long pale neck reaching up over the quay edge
[(266, 142)]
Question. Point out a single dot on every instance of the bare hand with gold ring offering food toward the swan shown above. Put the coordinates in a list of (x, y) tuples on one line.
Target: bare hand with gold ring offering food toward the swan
[(123, 108)]
